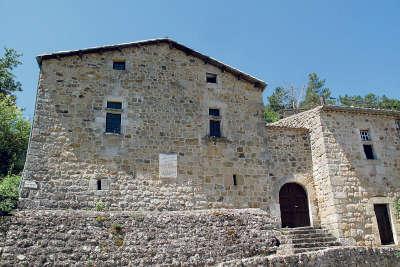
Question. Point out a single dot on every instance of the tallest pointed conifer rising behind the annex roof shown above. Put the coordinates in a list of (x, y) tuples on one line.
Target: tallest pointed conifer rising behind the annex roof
[(314, 91)]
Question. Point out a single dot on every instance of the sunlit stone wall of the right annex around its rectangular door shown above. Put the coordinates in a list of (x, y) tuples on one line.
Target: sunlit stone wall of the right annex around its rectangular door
[(357, 182)]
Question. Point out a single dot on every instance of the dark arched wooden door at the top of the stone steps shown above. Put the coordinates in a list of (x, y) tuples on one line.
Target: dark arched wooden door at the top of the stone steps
[(294, 206)]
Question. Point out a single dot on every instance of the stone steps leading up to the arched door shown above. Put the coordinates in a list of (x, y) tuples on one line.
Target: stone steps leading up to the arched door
[(305, 239)]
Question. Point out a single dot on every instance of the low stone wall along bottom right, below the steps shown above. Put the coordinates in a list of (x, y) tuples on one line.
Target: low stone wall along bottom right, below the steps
[(342, 256)]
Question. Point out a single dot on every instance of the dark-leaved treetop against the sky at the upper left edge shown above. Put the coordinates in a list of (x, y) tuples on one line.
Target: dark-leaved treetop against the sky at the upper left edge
[(8, 84)]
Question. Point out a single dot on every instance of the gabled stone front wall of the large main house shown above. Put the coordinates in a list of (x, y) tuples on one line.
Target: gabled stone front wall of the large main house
[(165, 101)]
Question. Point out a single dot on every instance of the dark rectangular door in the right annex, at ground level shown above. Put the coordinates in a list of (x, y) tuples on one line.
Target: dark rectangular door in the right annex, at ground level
[(384, 226)]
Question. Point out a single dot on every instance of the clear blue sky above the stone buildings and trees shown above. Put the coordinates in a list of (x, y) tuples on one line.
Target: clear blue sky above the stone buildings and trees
[(353, 44)]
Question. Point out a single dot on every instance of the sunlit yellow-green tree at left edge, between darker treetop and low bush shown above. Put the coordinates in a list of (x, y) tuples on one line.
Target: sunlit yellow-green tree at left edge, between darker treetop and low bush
[(14, 136)]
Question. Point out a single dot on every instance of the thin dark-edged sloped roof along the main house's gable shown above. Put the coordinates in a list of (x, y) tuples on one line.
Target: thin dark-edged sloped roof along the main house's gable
[(241, 75)]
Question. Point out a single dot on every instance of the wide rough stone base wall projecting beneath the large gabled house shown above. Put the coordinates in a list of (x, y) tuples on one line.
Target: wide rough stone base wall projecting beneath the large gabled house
[(85, 238)]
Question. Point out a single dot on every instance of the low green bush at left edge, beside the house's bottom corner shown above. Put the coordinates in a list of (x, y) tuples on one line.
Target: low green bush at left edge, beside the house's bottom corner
[(9, 193)]
